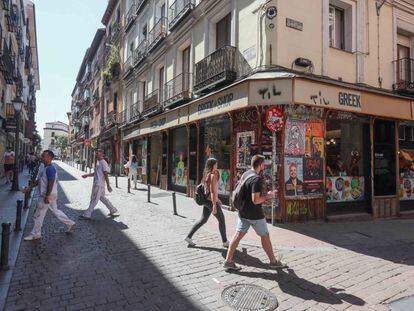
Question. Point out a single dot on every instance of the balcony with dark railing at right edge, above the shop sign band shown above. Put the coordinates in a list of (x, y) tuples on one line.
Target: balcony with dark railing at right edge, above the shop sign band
[(404, 74)]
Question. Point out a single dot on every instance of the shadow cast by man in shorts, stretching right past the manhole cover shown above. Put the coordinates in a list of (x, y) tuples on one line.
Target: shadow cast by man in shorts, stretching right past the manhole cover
[(293, 285)]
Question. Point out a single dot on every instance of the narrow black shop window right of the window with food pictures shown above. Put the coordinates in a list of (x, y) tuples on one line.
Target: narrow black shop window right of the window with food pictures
[(384, 158)]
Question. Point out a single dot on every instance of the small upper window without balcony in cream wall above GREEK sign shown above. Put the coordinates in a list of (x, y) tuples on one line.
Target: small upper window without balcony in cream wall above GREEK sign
[(336, 27)]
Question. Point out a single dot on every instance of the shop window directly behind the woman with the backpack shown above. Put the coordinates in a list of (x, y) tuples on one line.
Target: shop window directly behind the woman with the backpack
[(216, 144)]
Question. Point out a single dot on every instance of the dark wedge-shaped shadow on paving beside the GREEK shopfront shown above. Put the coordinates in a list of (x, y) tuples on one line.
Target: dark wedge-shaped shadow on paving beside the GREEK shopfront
[(391, 240)]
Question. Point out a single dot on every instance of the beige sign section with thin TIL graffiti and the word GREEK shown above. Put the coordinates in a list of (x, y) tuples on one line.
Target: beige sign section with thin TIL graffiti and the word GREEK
[(327, 96)]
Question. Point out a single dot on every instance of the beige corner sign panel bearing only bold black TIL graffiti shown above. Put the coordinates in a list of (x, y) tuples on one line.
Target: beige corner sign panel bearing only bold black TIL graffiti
[(270, 92)]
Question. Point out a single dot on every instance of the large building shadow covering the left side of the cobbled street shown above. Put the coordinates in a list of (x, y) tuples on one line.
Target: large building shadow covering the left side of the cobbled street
[(97, 266)]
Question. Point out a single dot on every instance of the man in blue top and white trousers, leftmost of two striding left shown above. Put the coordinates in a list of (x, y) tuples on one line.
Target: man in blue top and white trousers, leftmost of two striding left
[(47, 185)]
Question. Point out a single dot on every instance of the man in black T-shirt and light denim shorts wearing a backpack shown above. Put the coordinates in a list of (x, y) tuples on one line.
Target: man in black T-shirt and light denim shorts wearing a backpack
[(251, 214)]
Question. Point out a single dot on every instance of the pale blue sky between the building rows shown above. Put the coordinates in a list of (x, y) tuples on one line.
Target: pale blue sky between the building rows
[(65, 29)]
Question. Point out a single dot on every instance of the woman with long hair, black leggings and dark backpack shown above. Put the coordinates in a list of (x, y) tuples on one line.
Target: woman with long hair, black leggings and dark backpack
[(211, 177)]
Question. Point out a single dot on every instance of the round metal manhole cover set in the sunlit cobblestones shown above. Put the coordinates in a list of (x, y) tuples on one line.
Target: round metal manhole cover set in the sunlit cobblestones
[(246, 297)]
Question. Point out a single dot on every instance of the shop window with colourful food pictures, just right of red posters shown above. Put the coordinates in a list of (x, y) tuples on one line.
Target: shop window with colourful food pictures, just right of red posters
[(347, 155)]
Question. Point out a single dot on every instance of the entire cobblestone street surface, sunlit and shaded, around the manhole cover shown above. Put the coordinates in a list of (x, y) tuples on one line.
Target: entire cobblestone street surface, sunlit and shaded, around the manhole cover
[(139, 261)]
